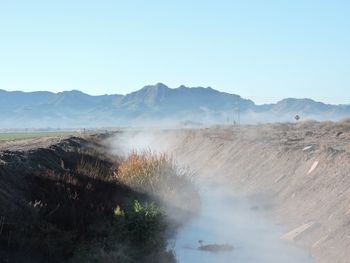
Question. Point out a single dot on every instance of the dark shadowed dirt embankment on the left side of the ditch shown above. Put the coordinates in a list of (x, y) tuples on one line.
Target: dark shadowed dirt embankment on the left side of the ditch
[(53, 193)]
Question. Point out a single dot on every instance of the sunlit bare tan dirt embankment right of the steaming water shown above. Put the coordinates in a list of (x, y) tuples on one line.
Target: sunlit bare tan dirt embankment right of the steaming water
[(299, 174)]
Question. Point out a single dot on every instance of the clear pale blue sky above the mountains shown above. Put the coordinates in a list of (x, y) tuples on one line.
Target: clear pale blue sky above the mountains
[(263, 50)]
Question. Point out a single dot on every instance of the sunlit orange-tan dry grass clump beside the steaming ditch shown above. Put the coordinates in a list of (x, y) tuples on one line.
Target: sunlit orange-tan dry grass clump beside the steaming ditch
[(157, 175)]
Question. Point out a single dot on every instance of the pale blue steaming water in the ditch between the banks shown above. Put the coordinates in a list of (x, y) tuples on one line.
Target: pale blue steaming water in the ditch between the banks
[(226, 219)]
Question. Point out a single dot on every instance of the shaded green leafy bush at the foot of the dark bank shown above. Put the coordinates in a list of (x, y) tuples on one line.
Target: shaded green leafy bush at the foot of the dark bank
[(136, 233)]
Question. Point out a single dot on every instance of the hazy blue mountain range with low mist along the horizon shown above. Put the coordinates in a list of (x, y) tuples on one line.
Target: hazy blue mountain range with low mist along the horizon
[(151, 105)]
